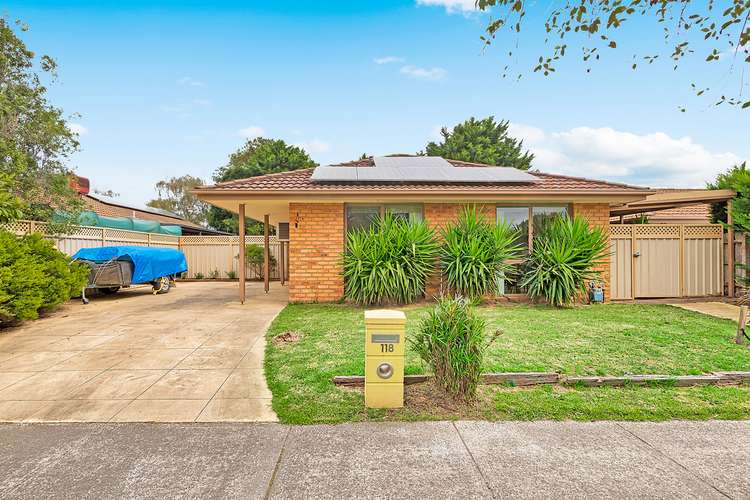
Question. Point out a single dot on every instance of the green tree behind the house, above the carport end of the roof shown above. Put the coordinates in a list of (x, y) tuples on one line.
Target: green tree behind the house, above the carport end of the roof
[(257, 156)]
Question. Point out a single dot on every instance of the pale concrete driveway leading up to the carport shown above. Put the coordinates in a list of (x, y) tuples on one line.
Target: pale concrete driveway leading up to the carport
[(194, 354)]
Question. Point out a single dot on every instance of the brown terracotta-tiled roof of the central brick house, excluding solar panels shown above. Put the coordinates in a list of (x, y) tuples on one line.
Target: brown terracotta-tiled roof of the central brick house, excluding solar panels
[(301, 181)]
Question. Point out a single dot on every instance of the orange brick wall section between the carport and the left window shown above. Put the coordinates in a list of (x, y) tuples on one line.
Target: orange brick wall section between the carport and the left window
[(315, 248)]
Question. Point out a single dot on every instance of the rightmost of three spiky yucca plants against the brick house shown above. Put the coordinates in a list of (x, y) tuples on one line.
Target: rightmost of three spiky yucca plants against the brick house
[(563, 259)]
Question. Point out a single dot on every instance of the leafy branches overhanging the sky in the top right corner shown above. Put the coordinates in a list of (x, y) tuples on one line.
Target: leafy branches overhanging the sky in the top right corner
[(714, 31)]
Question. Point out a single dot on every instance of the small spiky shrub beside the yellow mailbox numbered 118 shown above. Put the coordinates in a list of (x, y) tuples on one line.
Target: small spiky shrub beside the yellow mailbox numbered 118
[(451, 341)]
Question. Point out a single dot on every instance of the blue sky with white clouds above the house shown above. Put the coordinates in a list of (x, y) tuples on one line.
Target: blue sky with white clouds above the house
[(169, 88)]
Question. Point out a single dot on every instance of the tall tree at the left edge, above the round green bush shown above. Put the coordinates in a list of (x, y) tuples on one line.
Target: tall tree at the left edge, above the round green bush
[(35, 141)]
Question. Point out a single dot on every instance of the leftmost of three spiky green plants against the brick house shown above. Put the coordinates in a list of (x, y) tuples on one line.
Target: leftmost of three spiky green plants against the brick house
[(389, 262)]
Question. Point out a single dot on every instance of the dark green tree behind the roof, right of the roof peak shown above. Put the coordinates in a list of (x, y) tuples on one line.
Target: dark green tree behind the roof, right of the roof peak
[(481, 141)]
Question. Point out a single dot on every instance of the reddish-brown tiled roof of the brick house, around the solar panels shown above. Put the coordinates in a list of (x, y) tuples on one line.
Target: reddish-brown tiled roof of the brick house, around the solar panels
[(300, 181)]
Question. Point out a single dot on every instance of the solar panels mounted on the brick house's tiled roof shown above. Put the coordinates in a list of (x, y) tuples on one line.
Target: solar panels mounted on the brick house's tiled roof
[(420, 169)]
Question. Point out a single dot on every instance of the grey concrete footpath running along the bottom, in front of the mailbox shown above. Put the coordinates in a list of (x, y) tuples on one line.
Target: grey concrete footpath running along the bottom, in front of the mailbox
[(409, 460)]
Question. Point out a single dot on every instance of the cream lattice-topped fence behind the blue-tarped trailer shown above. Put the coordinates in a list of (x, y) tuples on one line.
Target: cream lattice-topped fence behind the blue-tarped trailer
[(209, 256)]
